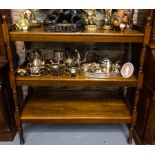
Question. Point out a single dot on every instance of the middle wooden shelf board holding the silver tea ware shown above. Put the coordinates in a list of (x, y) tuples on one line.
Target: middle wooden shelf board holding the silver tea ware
[(66, 80)]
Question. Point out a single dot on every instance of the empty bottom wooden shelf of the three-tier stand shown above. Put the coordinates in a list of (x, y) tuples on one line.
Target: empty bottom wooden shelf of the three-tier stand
[(75, 107)]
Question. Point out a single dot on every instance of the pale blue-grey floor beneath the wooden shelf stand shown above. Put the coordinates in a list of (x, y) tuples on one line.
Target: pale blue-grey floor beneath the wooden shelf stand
[(75, 134)]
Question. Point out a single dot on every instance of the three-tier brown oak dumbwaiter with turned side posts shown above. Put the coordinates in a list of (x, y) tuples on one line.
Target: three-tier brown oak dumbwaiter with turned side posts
[(41, 106)]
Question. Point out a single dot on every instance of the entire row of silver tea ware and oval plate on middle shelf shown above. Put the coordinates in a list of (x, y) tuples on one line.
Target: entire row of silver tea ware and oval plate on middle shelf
[(73, 63)]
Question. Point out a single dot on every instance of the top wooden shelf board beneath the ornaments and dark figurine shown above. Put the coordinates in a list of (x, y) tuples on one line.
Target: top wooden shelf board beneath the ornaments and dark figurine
[(40, 35)]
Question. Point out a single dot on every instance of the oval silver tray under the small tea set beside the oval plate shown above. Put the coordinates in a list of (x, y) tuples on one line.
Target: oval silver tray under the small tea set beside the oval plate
[(100, 75)]
